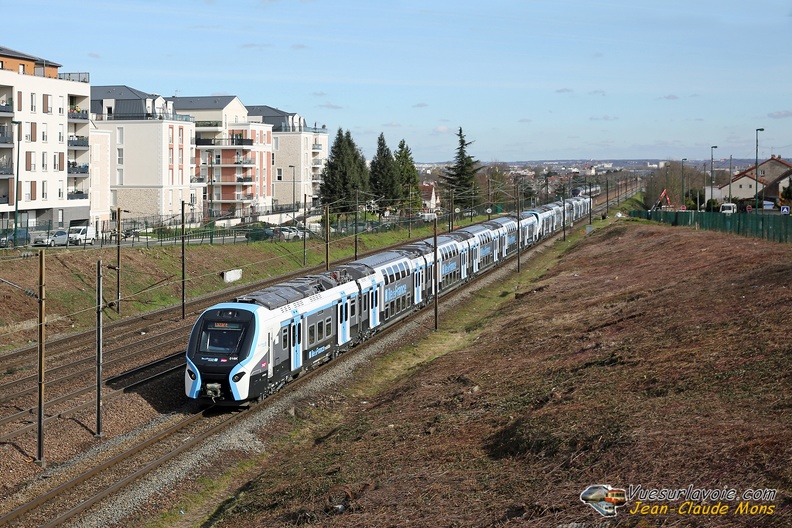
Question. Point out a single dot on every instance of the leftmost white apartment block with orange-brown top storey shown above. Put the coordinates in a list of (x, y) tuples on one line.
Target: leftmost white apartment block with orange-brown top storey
[(46, 176)]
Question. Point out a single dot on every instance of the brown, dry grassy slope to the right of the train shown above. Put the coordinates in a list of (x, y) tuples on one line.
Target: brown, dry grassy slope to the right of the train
[(647, 356)]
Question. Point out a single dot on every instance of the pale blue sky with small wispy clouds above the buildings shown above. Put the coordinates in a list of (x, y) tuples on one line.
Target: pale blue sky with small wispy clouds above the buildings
[(523, 79)]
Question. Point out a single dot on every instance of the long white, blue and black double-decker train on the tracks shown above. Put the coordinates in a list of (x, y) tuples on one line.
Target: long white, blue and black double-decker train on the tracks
[(250, 347)]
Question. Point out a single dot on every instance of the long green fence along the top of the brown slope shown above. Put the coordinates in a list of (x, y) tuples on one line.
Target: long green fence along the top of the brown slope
[(773, 227)]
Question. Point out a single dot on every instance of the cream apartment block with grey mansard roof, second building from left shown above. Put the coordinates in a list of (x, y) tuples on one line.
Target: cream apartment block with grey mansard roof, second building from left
[(152, 156)]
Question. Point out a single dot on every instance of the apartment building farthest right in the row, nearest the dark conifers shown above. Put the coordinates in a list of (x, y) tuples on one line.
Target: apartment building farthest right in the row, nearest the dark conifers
[(300, 153)]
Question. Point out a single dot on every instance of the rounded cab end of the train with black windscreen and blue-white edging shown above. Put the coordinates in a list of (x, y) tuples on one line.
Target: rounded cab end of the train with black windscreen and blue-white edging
[(222, 363)]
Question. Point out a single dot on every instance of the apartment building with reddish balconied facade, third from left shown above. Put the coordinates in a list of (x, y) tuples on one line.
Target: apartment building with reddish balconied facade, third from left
[(233, 156)]
